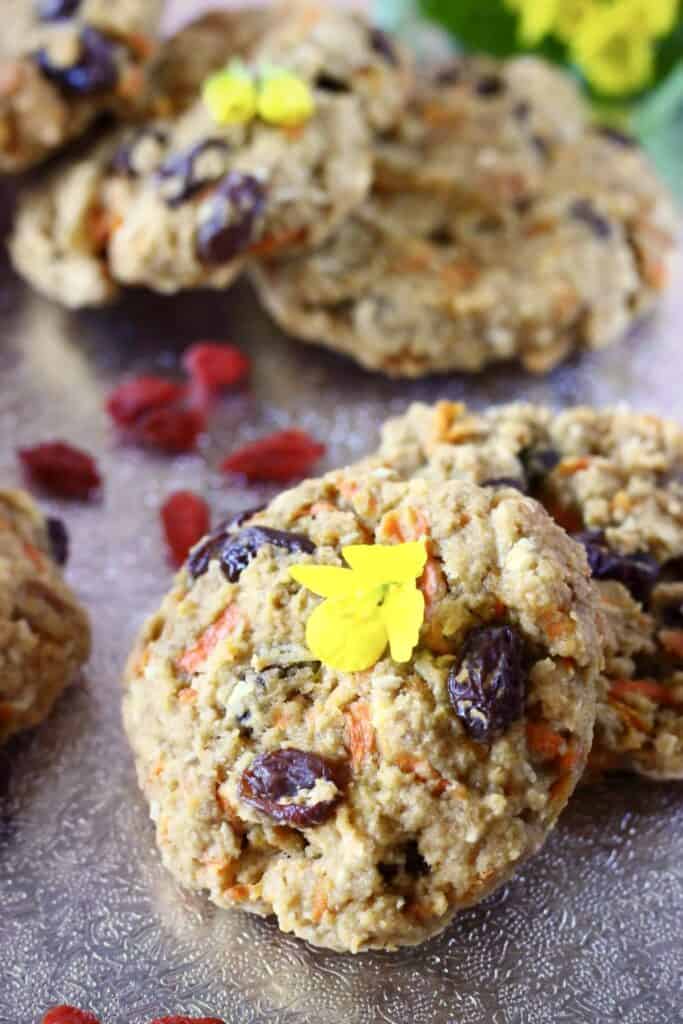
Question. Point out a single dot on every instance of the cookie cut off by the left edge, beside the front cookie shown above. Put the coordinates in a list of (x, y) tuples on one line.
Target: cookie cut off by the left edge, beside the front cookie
[(46, 635)]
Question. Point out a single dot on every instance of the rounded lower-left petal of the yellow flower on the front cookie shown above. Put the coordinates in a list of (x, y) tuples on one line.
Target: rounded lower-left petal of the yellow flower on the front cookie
[(347, 634)]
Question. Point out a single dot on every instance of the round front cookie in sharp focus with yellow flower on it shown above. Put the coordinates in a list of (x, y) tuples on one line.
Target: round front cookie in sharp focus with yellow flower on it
[(364, 808)]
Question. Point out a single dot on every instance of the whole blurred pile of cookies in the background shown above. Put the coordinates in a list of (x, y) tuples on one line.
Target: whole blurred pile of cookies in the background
[(418, 220)]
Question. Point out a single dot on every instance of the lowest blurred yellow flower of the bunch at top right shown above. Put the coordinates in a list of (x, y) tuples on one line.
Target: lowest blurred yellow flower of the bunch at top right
[(613, 50)]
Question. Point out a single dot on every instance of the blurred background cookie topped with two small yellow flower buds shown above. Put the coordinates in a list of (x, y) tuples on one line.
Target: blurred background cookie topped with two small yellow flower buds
[(183, 202)]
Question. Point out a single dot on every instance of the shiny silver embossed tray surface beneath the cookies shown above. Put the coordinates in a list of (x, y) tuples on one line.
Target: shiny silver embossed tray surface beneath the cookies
[(591, 931)]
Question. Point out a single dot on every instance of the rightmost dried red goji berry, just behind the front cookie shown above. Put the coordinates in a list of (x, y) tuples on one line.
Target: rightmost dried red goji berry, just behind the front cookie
[(285, 456)]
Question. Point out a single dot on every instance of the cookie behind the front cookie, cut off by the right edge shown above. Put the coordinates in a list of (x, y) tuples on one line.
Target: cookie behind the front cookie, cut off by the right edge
[(614, 479)]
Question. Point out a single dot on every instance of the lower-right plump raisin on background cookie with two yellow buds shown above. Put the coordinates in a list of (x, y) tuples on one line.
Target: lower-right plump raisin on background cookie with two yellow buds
[(236, 208)]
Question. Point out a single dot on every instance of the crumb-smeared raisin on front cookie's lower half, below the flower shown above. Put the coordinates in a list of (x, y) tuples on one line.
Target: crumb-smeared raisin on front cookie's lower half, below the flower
[(285, 774)]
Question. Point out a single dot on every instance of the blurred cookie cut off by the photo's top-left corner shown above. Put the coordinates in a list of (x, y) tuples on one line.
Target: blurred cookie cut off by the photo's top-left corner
[(64, 64)]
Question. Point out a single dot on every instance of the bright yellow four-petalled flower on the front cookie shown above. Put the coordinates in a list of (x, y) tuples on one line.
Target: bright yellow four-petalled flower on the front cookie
[(374, 604)]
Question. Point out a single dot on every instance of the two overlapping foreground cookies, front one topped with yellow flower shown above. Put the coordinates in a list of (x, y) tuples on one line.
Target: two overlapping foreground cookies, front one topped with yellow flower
[(365, 800)]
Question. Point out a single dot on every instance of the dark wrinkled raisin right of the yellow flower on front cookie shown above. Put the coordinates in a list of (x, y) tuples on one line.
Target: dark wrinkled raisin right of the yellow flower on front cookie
[(488, 685)]
